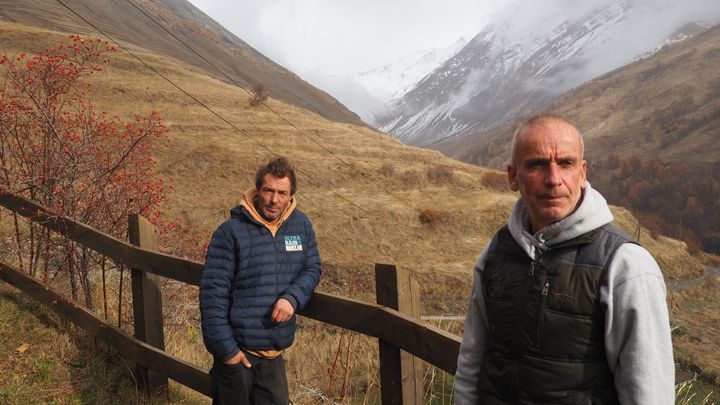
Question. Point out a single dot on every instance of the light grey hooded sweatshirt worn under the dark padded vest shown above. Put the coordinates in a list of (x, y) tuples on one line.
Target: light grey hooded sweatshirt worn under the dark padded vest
[(637, 328)]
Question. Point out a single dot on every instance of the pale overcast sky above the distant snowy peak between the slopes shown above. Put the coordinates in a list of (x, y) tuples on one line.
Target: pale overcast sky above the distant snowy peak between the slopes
[(340, 37)]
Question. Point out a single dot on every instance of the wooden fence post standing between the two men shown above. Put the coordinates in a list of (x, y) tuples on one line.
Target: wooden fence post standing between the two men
[(401, 374)]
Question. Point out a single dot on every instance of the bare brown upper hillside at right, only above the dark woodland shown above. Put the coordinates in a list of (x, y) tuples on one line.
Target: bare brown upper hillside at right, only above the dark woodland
[(614, 113)]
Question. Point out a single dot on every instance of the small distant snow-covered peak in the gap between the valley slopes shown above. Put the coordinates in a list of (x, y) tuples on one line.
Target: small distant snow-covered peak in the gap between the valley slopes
[(393, 80)]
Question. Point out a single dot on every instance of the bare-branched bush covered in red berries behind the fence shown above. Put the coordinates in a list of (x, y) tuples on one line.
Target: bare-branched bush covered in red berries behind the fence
[(56, 149)]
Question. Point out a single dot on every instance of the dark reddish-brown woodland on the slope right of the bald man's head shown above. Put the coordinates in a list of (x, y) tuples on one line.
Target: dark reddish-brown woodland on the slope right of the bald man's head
[(679, 201)]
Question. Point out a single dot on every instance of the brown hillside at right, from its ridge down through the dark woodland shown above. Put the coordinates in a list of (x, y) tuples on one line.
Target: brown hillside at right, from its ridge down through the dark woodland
[(660, 111)]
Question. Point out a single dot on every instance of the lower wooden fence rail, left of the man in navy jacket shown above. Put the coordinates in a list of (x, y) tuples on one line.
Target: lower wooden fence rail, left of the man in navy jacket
[(129, 347)]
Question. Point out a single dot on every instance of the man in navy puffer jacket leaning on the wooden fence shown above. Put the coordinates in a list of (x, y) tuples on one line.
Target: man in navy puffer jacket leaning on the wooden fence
[(261, 267)]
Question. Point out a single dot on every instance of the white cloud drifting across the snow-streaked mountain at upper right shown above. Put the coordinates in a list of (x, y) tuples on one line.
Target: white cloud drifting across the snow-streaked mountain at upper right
[(646, 25)]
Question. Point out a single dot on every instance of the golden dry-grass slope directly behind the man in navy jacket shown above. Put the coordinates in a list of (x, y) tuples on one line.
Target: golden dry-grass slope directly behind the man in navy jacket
[(355, 183)]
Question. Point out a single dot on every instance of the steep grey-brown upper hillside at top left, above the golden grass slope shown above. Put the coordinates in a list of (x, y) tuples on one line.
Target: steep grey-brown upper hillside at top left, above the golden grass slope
[(124, 20)]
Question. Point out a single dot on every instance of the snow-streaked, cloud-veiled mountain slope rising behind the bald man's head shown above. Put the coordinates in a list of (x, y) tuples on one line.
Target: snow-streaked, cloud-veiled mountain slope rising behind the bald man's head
[(532, 51)]
